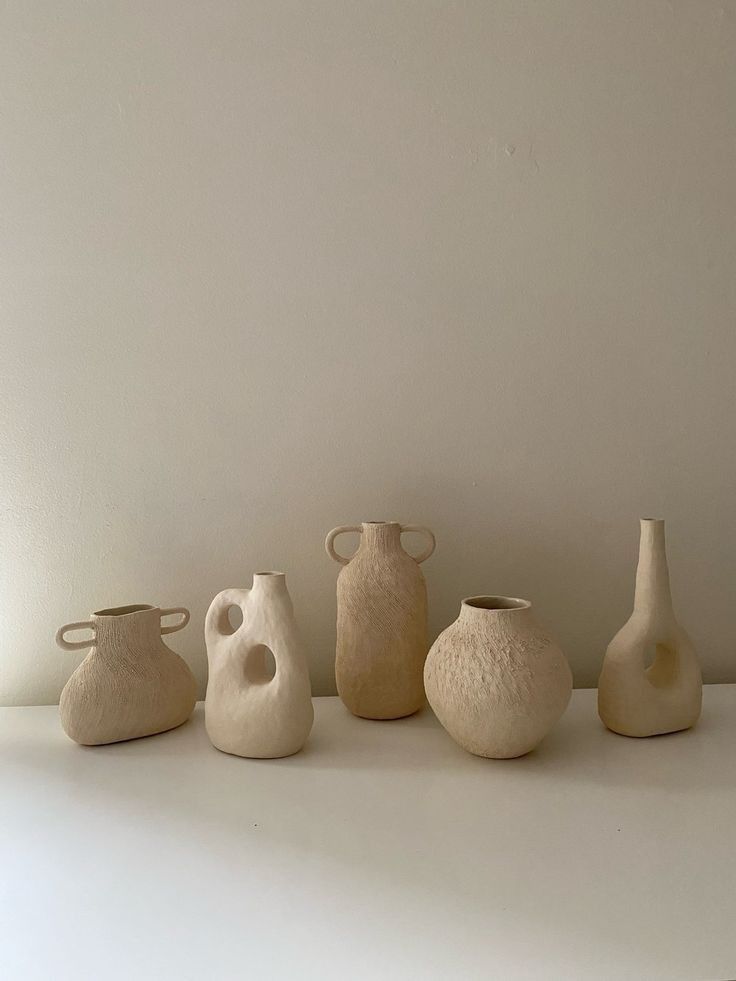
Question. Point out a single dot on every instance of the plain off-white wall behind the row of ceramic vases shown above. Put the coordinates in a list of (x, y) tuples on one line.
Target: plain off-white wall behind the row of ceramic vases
[(268, 267)]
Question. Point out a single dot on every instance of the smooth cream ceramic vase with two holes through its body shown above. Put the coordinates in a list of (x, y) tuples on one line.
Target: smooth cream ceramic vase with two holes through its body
[(250, 710)]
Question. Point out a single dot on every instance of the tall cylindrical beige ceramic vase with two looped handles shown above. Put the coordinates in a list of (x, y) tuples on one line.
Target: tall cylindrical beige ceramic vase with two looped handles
[(381, 621)]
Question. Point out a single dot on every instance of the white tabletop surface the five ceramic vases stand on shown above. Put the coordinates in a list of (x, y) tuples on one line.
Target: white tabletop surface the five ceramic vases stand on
[(382, 851)]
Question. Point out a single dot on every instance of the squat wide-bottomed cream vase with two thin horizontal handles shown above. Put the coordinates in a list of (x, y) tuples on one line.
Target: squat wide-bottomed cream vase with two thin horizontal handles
[(130, 684)]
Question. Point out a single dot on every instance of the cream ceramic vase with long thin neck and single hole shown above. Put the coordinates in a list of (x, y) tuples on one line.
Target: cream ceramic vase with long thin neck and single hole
[(650, 683)]
